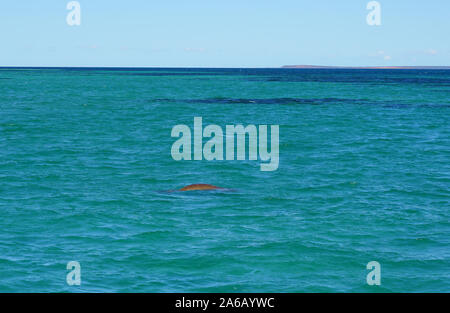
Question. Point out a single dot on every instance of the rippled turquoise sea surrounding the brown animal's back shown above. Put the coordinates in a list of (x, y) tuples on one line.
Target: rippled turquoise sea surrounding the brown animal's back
[(364, 175)]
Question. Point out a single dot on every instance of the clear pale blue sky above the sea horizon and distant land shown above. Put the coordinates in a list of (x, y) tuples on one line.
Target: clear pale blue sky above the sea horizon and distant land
[(225, 33)]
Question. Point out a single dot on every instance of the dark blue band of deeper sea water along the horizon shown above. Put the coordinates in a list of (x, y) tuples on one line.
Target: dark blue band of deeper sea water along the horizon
[(355, 76)]
